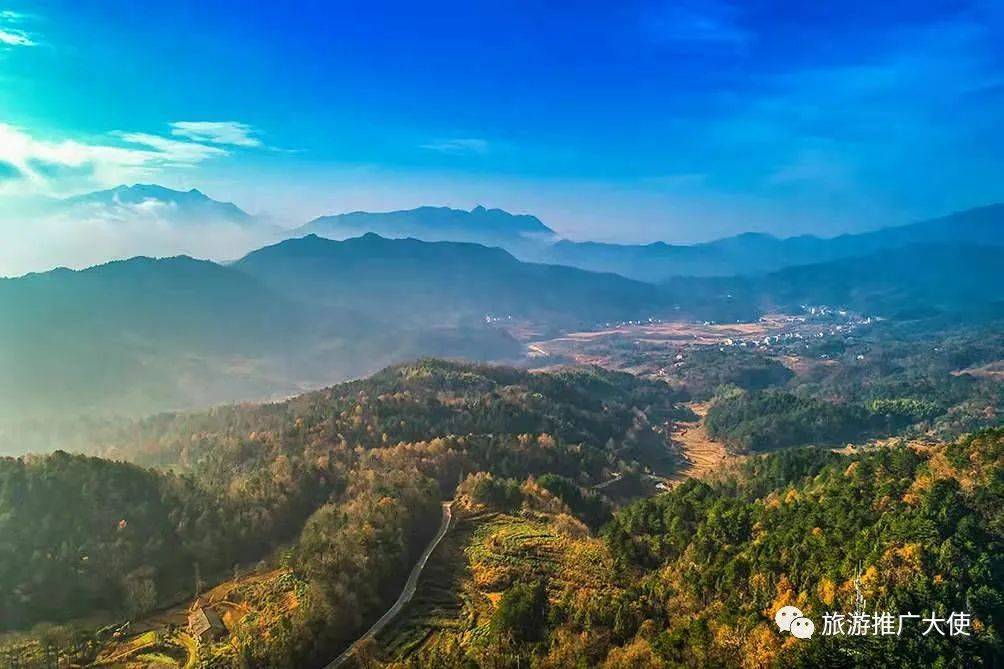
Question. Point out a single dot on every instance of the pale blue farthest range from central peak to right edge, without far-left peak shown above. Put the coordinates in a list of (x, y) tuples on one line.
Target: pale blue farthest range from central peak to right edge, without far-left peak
[(750, 254)]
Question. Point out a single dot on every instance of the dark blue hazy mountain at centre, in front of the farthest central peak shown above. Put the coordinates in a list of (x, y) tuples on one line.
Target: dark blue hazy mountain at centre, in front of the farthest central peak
[(414, 283)]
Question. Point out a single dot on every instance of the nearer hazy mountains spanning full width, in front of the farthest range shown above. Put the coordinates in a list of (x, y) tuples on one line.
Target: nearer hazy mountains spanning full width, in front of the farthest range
[(144, 335)]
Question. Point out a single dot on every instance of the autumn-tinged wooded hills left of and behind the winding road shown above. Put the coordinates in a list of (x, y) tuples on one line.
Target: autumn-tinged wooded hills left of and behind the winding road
[(348, 480)]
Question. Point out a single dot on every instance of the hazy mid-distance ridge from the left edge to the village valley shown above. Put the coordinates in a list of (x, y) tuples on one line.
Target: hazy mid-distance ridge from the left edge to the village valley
[(146, 335)]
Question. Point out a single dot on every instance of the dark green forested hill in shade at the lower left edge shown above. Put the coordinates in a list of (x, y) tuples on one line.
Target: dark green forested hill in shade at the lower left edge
[(136, 538)]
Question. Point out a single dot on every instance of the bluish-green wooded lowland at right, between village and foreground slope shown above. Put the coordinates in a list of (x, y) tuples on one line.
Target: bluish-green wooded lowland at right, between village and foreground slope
[(890, 379)]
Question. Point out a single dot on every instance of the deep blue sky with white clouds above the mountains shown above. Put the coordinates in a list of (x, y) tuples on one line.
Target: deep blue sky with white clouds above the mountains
[(622, 121)]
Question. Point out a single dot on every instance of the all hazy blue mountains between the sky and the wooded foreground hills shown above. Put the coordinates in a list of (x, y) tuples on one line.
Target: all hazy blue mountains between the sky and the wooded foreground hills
[(144, 335)]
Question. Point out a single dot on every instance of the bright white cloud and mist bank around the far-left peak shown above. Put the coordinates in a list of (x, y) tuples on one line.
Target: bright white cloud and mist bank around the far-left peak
[(37, 235)]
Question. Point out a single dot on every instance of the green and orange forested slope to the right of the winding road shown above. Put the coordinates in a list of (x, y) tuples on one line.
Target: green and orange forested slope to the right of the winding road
[(692, 578)]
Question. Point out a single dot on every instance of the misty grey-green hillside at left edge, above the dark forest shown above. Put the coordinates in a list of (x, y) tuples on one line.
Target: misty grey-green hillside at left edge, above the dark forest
[(138, 335)]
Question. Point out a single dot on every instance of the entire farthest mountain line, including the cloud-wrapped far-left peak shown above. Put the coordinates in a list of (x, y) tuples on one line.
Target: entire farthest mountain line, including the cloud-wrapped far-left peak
[(231, 233)]
